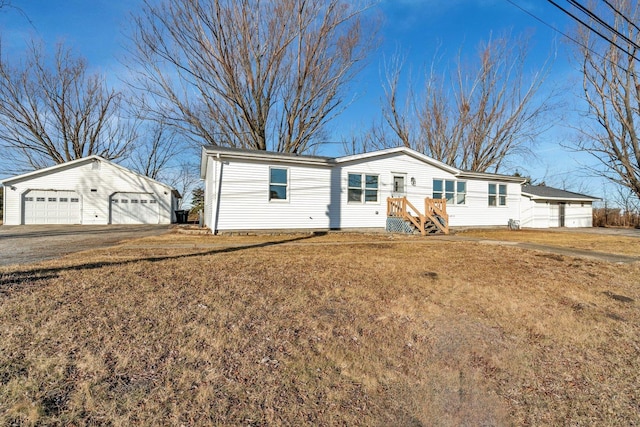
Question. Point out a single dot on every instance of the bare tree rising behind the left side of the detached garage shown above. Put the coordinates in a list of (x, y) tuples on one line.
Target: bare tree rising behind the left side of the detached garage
[(53, 112)]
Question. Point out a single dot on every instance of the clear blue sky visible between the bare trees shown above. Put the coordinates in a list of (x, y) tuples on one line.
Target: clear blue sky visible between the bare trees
[(416, 28)]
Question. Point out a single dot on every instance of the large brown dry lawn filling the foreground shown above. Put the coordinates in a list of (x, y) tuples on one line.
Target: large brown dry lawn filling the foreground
[(379, 331)]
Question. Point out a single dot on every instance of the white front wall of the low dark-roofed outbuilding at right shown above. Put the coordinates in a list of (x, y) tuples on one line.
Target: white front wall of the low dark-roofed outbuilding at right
[(546, 214)]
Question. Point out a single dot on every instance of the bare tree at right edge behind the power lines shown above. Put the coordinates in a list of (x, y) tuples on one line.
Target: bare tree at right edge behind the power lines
[(611, 89)]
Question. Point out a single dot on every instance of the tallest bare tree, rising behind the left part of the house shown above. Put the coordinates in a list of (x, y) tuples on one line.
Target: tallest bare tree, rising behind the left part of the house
[(263, 74)]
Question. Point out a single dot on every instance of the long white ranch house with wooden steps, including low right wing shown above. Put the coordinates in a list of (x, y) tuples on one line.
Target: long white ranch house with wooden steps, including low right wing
[(259, 190)]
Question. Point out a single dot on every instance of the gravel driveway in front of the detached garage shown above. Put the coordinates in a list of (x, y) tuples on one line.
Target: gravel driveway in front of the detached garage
[(23, 244)]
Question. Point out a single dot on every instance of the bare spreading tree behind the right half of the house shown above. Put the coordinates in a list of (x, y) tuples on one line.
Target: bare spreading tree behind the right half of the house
[(479, 115)]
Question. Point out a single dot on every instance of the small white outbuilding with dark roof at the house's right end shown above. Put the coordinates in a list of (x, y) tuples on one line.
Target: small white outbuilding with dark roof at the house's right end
[(544, 207)]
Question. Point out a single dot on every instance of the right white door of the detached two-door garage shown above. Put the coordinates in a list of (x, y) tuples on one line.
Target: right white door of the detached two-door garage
[(134, 208)]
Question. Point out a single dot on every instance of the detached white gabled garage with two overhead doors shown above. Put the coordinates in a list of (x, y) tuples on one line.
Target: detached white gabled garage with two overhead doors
[(91, 190)]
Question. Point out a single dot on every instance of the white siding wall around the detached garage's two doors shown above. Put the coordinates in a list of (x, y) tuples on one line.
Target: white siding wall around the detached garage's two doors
[(84, 178)]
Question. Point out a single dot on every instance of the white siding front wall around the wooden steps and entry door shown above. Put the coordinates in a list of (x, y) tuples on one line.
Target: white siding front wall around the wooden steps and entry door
[(475, 212)]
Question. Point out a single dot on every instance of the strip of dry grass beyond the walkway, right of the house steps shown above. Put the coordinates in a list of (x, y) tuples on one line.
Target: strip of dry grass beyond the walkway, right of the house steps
[(594, 242)]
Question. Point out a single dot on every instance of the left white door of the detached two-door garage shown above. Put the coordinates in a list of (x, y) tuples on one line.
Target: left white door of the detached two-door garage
[(51, 207)]
